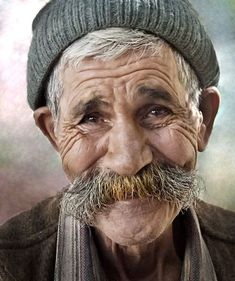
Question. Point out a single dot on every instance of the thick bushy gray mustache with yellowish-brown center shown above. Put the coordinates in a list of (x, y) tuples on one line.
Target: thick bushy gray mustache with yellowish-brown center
[(90, 195)]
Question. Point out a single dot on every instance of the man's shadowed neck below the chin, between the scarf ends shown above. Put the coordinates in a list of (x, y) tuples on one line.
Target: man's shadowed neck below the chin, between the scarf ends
[(157, 260)]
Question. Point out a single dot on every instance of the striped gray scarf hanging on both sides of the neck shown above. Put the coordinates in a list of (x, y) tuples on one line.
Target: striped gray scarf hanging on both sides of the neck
[(77, 258)]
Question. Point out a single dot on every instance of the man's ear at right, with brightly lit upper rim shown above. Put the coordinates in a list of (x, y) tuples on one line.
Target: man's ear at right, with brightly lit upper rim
[(209, 105)]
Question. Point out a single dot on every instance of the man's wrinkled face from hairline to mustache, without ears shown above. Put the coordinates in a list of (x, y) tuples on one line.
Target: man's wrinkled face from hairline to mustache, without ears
[(126, 129)]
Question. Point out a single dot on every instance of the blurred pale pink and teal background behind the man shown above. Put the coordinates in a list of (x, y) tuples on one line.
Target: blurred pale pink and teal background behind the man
[(30, 170)]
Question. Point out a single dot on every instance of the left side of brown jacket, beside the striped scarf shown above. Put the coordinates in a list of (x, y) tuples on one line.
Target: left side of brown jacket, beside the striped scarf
[(28, 243)]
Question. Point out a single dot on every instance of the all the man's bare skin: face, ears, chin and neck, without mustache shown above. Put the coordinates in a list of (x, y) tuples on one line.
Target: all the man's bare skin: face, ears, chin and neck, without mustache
[(121, 116)]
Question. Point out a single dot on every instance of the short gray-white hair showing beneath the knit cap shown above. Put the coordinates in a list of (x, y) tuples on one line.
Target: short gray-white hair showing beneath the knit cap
[(111, 43)]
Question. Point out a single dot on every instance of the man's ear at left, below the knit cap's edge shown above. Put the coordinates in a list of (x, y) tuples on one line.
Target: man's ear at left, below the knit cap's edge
[(44, 120)]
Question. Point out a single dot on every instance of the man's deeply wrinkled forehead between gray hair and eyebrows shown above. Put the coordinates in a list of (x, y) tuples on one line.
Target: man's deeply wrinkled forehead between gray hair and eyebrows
[(127, 75)]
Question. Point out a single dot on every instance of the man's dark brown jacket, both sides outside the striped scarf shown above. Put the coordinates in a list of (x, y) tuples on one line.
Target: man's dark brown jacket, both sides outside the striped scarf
[(28, 242)]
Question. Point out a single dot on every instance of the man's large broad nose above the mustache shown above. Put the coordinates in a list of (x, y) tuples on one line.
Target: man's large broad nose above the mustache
[(128, 151)]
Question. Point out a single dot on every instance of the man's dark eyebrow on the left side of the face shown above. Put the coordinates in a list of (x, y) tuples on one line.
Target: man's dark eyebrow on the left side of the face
[(87, 106)]
